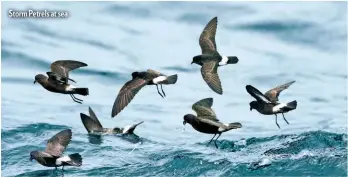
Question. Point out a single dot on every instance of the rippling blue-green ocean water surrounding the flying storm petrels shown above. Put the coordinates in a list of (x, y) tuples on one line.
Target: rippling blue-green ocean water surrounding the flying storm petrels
[(276, 42)]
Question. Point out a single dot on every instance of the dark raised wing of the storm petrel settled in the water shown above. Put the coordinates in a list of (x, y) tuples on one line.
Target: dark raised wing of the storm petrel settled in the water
[(91, 122)]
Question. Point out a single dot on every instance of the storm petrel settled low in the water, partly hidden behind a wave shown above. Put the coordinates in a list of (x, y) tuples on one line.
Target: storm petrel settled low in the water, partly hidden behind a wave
[(93, 126)]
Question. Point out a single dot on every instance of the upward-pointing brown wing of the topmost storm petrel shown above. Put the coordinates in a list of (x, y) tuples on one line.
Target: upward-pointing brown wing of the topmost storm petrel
[(207, 38)]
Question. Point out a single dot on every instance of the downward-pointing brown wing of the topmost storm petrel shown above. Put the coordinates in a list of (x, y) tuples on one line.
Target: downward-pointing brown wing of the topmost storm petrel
[(211, 77)]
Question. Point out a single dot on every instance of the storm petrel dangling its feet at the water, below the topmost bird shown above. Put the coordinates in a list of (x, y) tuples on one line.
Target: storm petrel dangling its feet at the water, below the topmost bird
[(206, 121)]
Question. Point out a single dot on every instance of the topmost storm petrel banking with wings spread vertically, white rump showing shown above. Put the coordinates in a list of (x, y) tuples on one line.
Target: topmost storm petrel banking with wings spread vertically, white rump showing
[(210, 59)]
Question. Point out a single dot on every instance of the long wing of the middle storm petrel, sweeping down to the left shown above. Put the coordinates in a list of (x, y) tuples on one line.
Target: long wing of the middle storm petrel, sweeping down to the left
[(126, 94)]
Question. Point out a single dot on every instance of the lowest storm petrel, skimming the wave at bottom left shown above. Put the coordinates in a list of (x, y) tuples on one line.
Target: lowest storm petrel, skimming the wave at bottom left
[(52, 156)]
